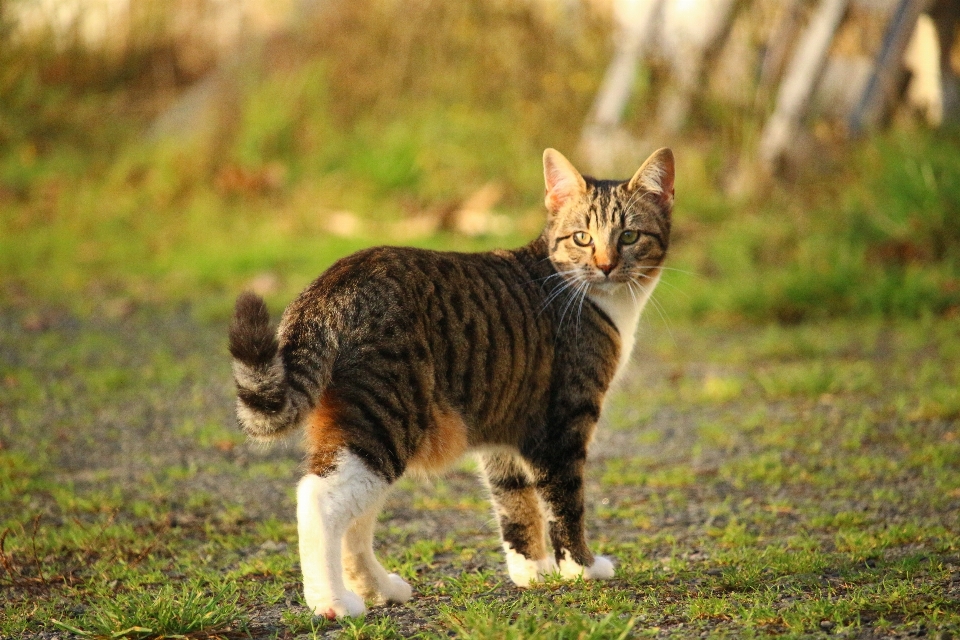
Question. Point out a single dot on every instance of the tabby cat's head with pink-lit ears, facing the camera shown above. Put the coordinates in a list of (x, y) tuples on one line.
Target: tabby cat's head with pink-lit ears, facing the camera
[(608, 232)]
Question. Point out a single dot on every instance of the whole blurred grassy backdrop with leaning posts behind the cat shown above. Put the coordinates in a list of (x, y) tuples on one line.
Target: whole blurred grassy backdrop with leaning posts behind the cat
[(176, 152)]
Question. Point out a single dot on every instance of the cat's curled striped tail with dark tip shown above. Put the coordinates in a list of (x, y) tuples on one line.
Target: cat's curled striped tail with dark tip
[(267, 406)]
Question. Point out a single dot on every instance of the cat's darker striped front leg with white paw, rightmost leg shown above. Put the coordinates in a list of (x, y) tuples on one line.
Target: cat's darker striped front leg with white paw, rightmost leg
[(560, 483)]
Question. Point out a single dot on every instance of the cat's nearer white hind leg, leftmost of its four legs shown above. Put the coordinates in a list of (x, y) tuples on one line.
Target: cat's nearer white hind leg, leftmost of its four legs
[(326, 506)]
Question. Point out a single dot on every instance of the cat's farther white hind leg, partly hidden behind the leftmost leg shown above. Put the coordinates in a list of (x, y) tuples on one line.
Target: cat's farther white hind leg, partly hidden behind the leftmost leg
[(361, 570)]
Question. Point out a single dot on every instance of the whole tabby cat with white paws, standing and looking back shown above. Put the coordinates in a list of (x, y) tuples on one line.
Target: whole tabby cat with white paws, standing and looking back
[(399, 359)]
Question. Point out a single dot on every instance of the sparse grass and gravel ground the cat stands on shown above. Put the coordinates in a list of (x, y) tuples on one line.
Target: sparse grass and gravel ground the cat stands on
[(823, 496)]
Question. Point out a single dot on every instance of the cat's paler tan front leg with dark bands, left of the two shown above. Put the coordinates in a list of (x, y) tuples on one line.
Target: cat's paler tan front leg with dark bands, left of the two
[(520, 517)]
